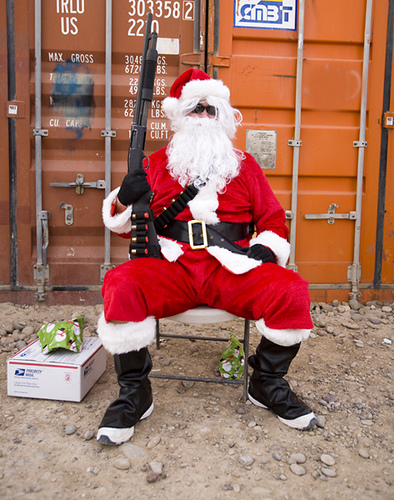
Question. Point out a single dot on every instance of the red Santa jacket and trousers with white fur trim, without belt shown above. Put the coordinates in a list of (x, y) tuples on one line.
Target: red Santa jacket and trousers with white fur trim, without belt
[(142, 290)]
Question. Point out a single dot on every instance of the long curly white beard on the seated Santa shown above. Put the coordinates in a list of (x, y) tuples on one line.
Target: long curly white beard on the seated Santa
[(201, 148)]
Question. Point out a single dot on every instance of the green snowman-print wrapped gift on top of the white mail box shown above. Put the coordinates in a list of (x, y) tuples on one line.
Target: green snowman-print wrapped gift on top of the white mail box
[(65, 334)]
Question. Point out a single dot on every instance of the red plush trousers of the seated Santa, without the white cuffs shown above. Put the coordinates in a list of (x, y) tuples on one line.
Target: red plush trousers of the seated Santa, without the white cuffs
[(155, 287)]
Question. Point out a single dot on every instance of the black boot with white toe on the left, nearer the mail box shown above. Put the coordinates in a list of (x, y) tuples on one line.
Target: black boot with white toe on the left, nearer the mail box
[(135, 397)]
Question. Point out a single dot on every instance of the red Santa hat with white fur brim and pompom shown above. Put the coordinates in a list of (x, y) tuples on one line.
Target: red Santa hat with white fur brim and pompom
[(194, 83)]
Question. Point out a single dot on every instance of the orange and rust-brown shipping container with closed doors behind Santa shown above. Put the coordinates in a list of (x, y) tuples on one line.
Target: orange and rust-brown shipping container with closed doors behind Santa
[(314, 90)]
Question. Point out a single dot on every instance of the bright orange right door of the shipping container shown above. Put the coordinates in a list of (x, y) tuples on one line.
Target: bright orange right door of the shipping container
[(262, 77)]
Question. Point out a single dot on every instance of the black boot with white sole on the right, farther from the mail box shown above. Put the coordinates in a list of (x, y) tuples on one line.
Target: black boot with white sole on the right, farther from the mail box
[(268, 389)]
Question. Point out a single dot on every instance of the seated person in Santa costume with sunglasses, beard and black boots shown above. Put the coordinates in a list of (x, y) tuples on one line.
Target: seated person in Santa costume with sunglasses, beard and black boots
[(209, 257)]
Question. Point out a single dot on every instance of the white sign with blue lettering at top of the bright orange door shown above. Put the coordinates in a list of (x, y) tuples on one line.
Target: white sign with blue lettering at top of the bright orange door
[(266, 14)]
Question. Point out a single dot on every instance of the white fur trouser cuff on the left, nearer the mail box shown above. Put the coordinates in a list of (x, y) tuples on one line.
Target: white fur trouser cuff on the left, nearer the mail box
[(119, 338)]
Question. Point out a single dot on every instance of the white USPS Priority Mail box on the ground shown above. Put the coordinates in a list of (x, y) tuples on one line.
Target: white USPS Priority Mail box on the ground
[(62, 375)]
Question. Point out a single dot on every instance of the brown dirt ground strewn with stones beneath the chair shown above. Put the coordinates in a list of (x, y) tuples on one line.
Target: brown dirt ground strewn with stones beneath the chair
[(202, 442)]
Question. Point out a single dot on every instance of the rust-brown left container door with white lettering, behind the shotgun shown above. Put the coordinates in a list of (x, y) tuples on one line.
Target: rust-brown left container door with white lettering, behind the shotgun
[(73, 55)]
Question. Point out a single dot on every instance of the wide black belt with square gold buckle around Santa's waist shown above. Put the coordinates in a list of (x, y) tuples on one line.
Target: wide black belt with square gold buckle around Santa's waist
[(200, 235)]
